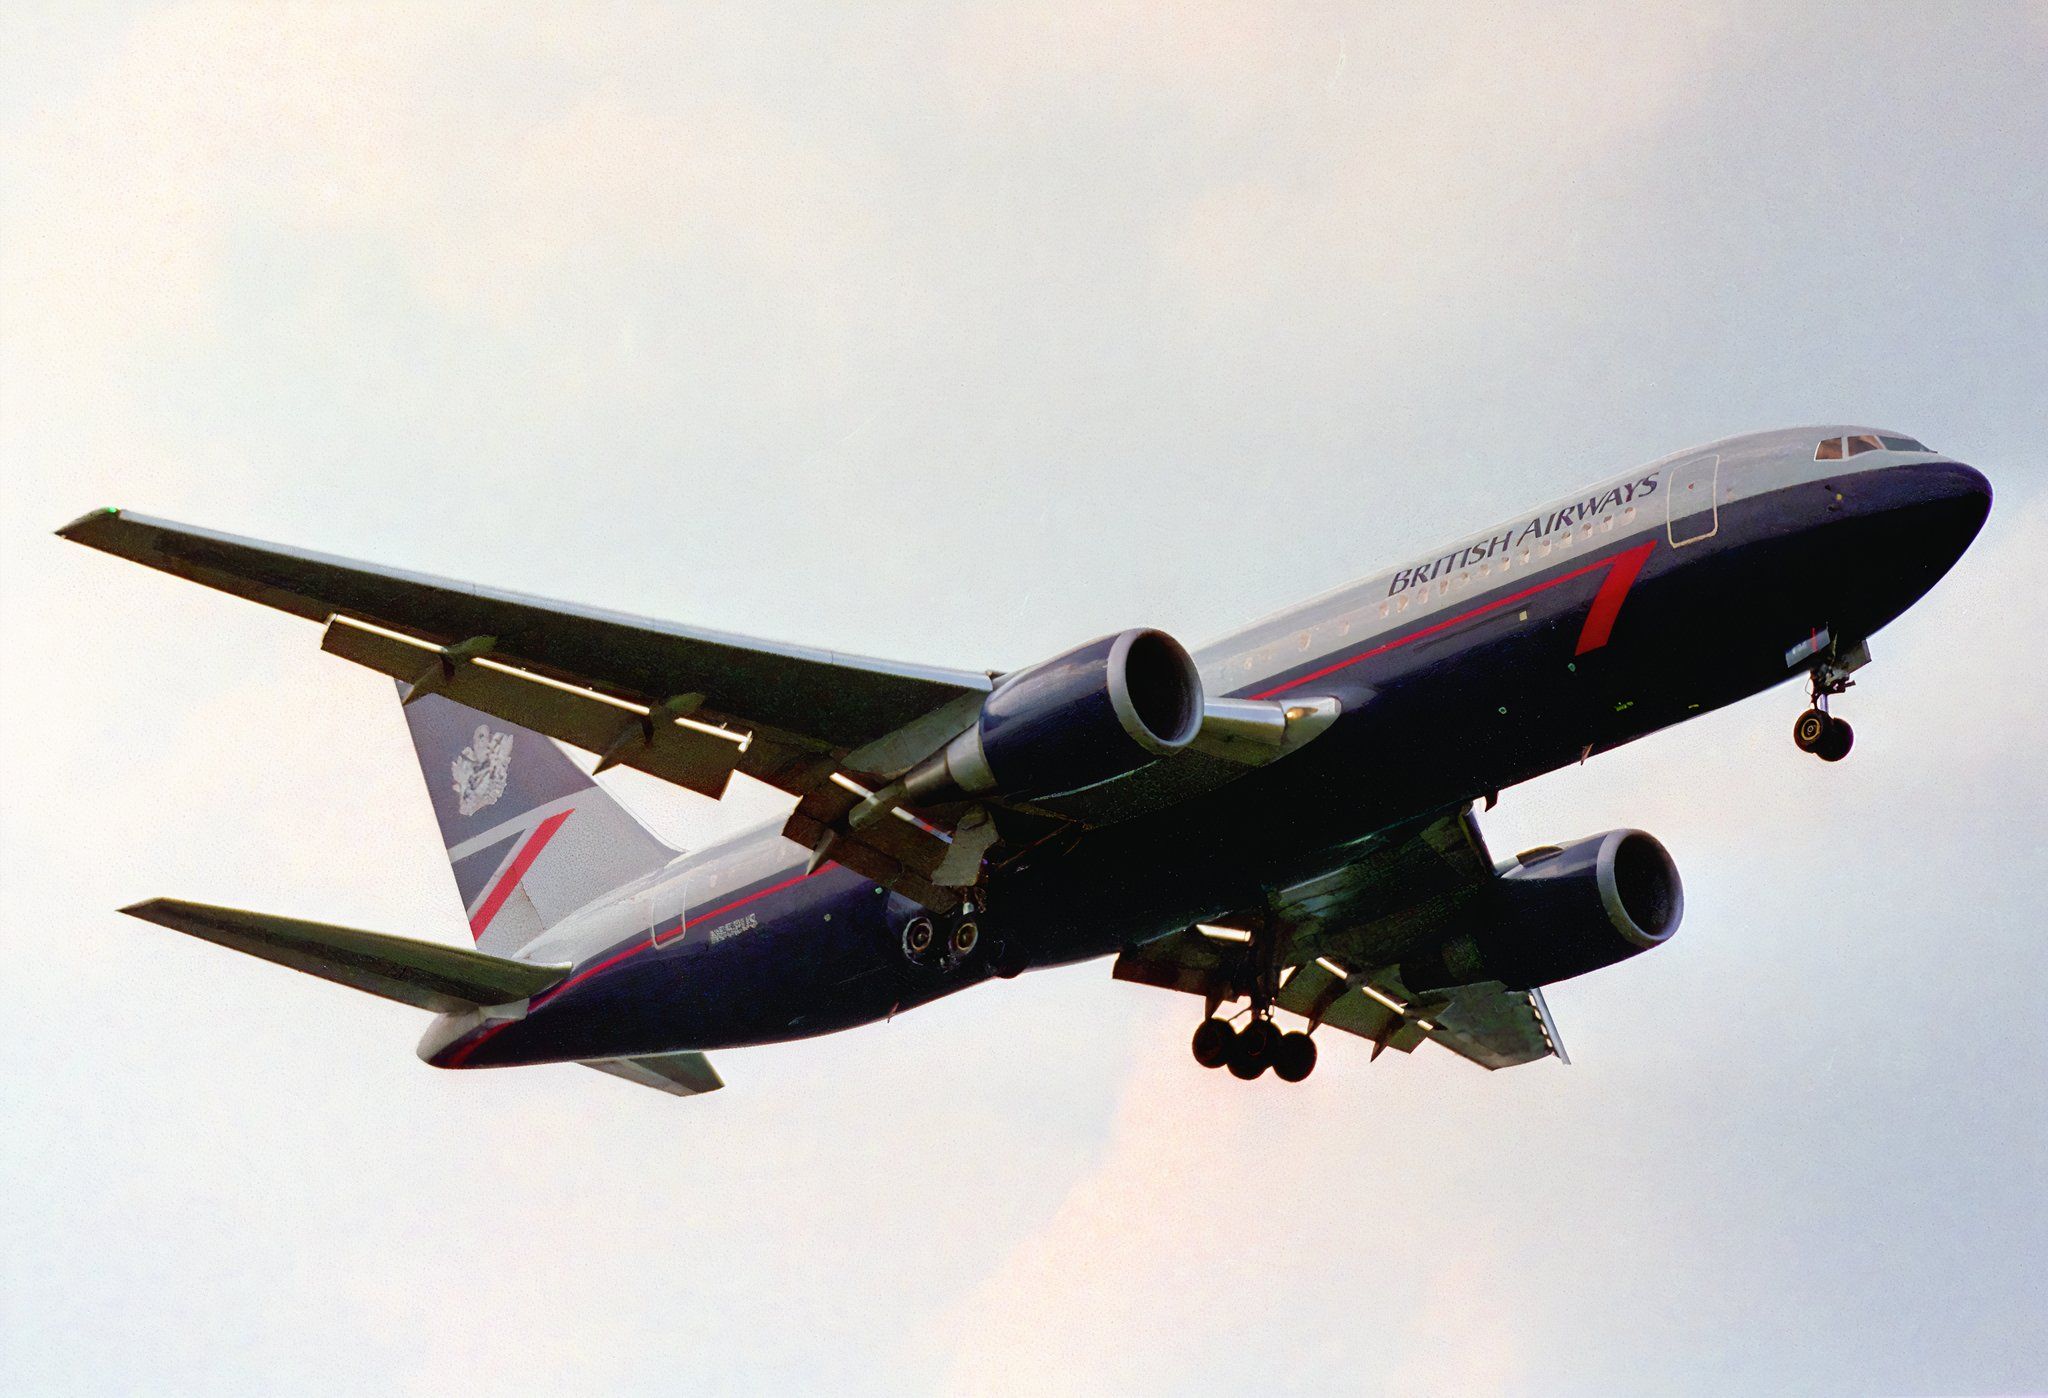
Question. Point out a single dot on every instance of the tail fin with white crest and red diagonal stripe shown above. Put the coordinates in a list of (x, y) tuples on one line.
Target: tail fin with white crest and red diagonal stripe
[(529, 834)]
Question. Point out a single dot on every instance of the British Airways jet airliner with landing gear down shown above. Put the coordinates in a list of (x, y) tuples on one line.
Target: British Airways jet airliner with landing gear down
[(1277, 822)]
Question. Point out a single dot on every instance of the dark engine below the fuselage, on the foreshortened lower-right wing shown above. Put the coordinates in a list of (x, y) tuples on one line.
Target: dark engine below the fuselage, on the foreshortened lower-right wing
[(1560, 914)]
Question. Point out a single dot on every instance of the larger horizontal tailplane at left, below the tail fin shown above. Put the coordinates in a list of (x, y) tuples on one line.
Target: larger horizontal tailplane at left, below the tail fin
[(431, 975)]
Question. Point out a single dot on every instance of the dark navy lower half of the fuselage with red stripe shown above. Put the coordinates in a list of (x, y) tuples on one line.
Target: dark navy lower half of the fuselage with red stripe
[(1494, 687)]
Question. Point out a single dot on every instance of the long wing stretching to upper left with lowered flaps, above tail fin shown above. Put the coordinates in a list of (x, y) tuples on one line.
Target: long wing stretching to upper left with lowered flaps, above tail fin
[(687, 705)]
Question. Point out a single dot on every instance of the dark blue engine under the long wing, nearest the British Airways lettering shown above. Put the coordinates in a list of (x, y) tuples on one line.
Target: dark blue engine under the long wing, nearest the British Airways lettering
[(1078, 719)]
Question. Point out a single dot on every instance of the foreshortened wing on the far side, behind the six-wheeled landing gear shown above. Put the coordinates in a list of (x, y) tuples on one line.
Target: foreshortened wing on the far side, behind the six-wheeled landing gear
[(1336, 943)]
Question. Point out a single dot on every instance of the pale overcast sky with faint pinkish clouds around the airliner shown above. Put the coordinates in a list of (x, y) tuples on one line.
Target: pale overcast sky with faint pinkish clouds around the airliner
[(962, 335)]
